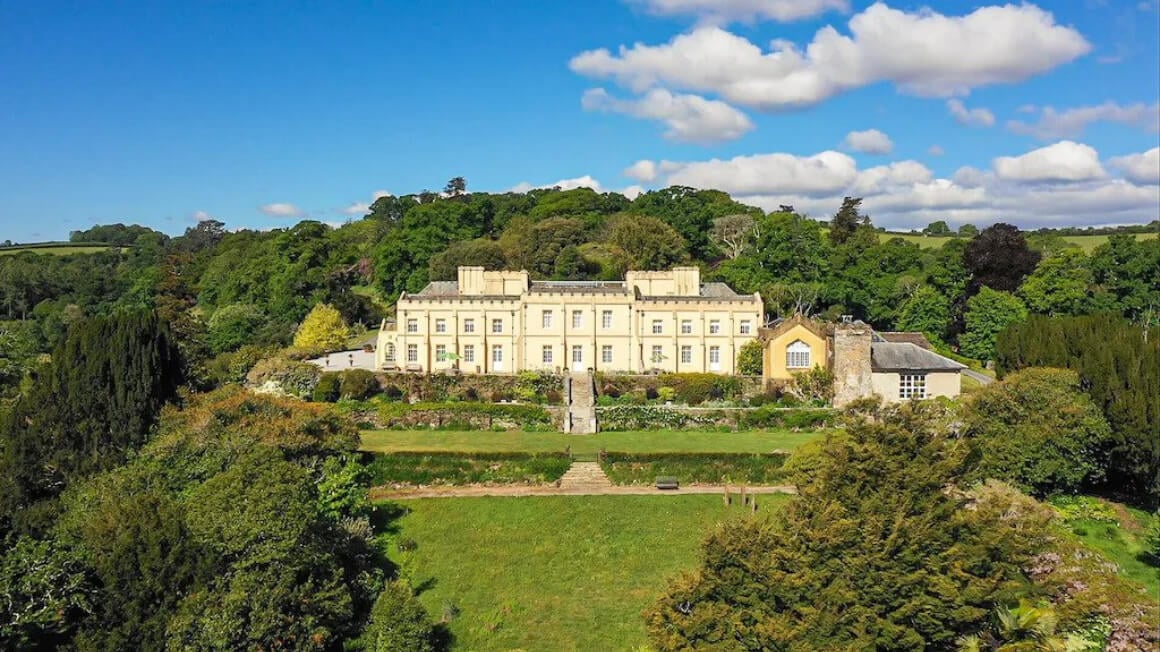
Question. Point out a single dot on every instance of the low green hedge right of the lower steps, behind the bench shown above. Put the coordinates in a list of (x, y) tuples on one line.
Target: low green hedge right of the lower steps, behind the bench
[(695, 468)]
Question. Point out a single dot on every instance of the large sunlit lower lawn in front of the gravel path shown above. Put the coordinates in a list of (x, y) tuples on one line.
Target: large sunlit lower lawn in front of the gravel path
[(553, 573)]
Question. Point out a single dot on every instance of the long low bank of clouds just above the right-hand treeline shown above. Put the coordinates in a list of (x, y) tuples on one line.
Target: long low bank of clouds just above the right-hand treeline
[(1063, 185)]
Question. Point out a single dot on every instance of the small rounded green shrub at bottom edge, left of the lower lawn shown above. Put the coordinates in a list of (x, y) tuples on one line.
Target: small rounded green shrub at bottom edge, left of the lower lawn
[(398, 621)]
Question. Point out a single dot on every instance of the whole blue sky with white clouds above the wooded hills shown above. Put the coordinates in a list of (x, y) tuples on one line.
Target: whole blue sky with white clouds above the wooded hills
[(165, 112)]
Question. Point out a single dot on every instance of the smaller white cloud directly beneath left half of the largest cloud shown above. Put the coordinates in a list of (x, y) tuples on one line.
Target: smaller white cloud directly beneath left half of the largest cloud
[(690, 119)]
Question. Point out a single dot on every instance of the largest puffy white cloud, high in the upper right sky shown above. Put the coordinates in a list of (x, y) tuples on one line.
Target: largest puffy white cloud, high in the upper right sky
[(924, 54)]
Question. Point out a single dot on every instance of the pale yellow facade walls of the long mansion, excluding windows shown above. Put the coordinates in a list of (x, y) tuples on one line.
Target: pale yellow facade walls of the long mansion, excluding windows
[(630, 335)]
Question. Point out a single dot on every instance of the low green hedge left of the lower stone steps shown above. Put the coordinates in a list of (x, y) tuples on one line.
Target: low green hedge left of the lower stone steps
[(415, 469)]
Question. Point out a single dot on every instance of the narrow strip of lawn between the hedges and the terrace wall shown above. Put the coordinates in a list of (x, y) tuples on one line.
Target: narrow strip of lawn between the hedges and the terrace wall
[(642, 441)]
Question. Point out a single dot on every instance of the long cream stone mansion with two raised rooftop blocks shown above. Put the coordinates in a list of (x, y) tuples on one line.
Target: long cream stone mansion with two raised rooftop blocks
[(505, 323)]
